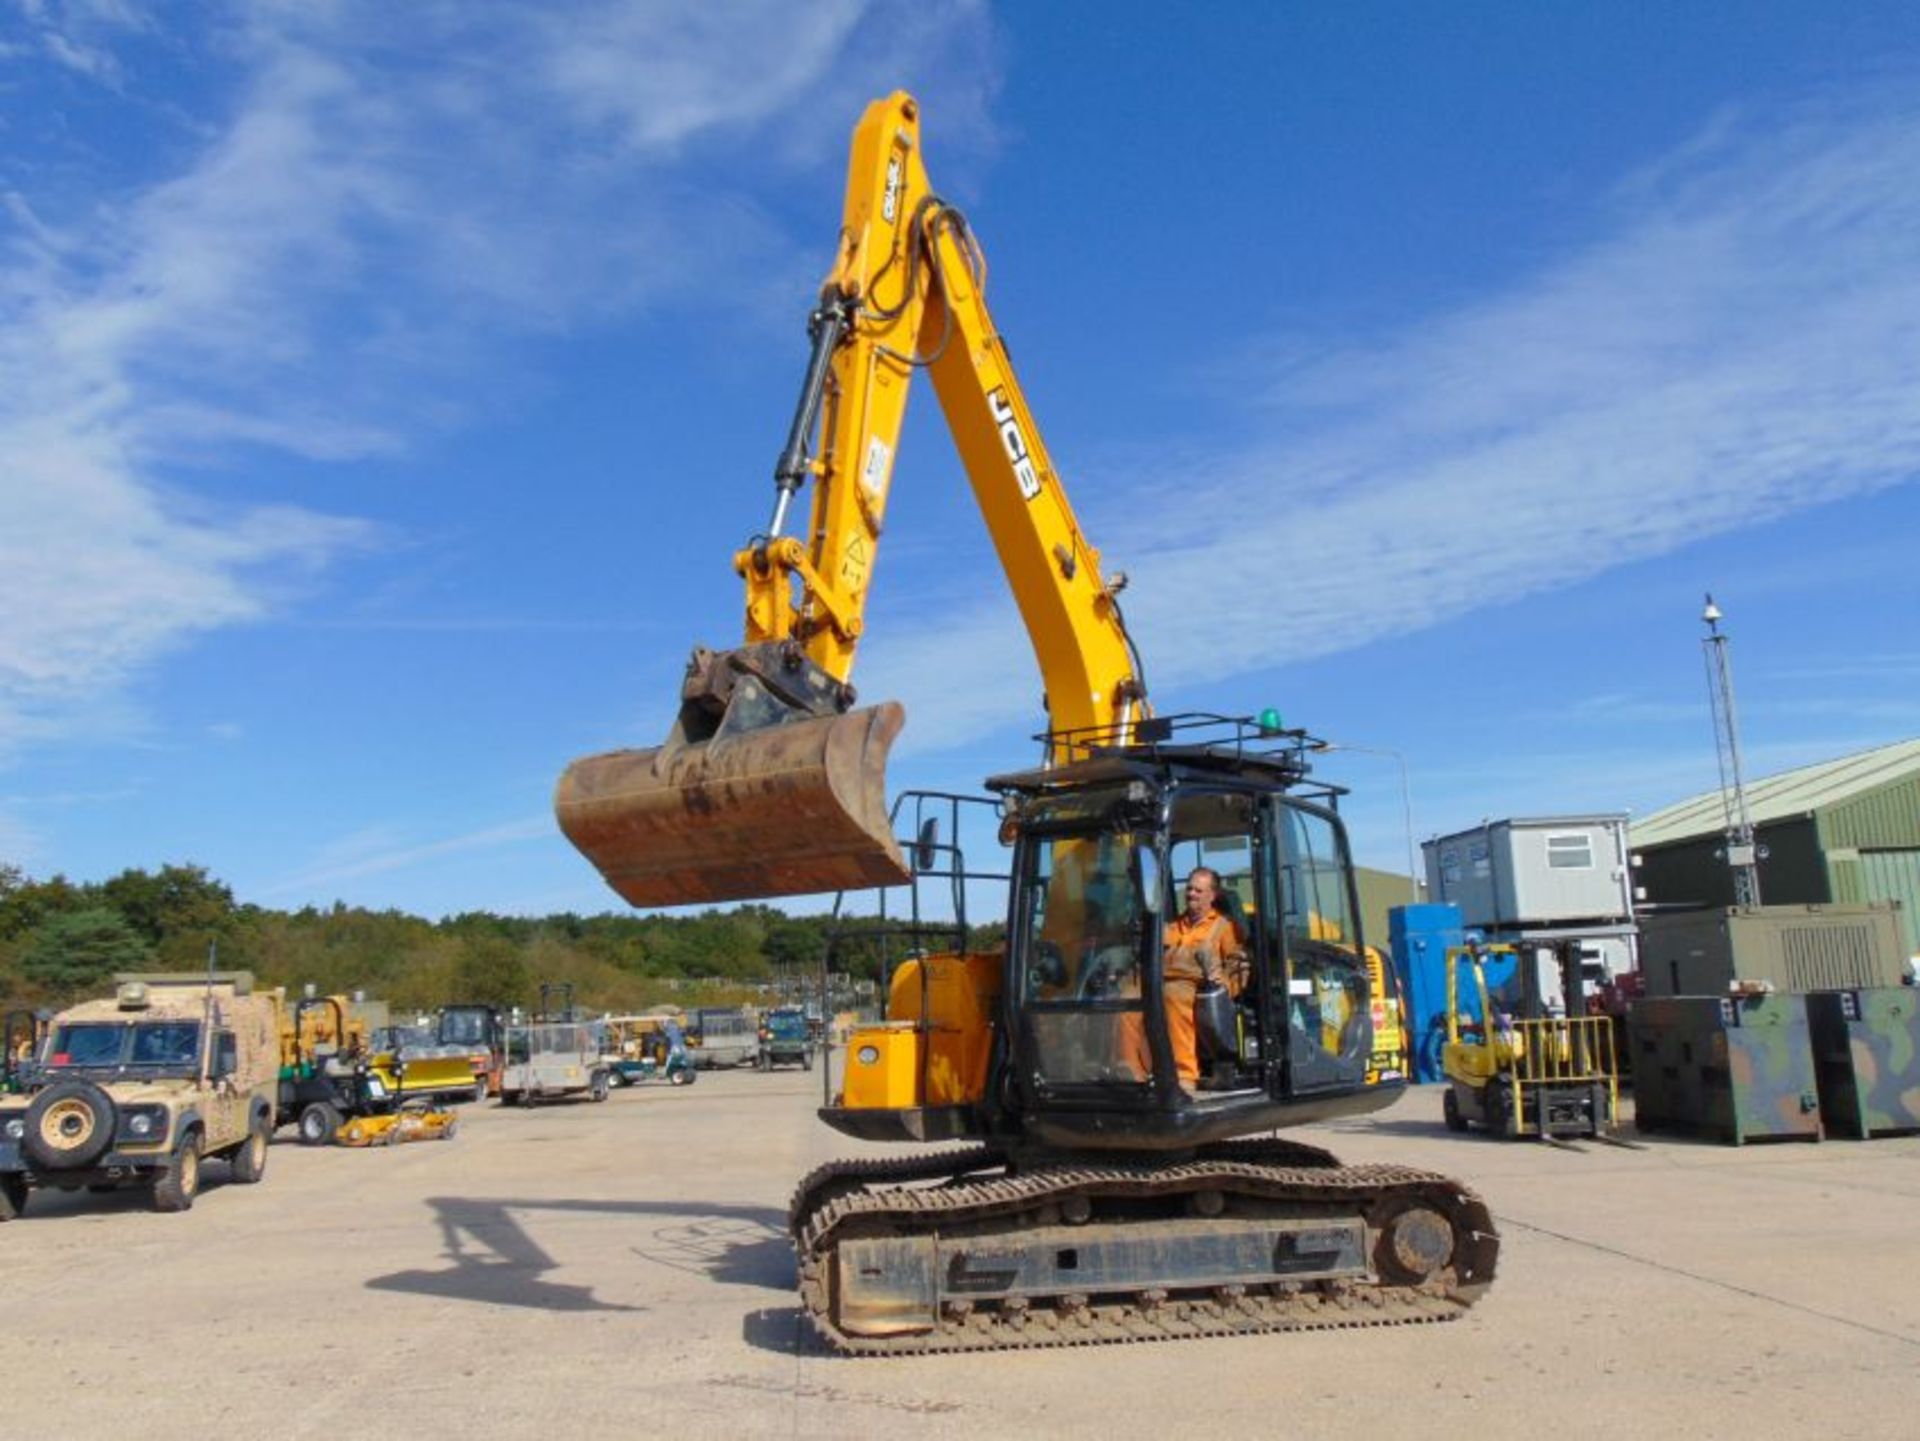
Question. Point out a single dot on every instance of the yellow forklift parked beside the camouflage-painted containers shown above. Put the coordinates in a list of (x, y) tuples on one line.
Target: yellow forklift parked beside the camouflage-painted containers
[(1543, 1075)]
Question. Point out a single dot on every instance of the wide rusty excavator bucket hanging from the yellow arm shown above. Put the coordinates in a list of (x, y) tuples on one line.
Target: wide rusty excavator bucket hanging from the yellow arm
[(765, 788)]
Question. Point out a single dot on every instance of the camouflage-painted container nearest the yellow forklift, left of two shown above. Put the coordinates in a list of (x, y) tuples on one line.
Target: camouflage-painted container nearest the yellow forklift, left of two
[(1735, 1068)]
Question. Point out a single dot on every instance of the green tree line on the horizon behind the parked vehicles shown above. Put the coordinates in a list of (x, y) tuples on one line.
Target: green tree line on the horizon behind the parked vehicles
[(62, 941)]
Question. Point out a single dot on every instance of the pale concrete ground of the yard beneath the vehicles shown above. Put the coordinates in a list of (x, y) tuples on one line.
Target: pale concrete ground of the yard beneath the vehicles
[(623, 1269)]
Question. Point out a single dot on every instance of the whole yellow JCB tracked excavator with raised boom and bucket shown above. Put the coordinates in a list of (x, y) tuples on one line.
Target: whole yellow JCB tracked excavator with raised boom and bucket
[(1118, 1185)]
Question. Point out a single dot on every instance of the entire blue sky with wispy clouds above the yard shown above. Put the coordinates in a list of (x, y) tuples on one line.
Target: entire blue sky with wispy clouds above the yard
[(385, 390)]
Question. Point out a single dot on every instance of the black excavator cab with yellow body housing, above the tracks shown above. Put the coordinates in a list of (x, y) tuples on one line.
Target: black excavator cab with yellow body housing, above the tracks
[(1086, 1043)]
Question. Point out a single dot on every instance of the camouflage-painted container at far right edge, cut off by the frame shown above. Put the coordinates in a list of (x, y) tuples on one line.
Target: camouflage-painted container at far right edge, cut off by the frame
[(1867, 1060)]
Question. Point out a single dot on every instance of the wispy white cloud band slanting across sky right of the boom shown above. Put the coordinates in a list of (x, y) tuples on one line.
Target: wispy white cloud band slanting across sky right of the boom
[(1739, 343)]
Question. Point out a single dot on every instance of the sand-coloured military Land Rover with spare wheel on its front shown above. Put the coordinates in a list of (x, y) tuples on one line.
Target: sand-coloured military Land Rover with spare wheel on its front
[(141, 1089)]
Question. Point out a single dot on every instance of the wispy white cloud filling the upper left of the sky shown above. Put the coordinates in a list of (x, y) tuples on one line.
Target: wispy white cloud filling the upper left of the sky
[(358, 210)]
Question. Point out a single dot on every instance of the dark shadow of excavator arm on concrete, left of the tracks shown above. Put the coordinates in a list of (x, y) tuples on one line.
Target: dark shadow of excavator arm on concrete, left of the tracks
[(496, 1264)]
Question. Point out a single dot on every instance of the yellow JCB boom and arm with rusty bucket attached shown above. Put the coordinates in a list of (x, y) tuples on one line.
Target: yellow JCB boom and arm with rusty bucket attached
[(773, 782)]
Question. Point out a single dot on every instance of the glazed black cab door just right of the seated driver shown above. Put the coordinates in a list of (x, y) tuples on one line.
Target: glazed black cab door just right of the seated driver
[(1324, 1003)]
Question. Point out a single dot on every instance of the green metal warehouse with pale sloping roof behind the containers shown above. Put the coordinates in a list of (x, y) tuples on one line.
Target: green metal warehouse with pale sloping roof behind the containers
[(1844, 832)]
